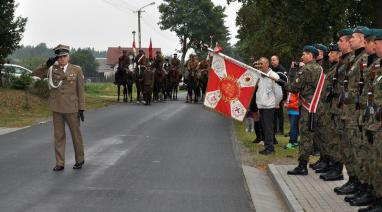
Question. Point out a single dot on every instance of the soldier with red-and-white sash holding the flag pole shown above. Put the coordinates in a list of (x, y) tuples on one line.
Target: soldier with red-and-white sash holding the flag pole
[(305, 84)]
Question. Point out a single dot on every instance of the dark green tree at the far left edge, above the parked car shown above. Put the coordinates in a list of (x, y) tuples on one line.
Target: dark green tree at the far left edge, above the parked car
[(11, 29)]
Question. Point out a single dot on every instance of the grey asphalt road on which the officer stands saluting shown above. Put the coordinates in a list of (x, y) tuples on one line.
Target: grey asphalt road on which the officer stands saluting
[(169, 156)]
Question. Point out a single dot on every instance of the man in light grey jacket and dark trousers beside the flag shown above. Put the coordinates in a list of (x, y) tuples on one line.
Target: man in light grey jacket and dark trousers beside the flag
[(268, 96)]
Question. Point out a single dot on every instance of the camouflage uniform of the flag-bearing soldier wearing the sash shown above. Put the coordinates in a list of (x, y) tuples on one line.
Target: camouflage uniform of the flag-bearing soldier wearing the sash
[(305, 84)]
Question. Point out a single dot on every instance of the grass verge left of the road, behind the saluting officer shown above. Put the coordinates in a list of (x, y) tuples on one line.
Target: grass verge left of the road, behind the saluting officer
[(19, 108)]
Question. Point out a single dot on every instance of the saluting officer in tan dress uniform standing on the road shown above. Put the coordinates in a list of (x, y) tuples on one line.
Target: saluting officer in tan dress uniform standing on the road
[(67, 101)]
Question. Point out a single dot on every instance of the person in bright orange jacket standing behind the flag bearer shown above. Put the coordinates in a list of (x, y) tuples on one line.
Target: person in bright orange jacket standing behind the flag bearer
[(292, 106)]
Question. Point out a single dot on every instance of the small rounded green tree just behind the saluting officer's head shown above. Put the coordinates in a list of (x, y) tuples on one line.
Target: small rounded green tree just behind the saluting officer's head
[(85, 59)]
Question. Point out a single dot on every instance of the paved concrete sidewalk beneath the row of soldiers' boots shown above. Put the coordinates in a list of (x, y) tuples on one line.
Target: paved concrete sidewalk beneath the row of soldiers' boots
[(308, 193)]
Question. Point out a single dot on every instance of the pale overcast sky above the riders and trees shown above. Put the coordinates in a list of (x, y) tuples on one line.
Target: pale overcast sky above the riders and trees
[(101, 23)]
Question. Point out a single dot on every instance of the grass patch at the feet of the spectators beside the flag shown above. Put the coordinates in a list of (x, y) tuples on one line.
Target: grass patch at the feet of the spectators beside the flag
[(249, 151)]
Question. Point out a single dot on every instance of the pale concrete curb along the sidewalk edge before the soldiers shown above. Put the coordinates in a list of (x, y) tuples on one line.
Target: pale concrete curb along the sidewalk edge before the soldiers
[(287, 195)]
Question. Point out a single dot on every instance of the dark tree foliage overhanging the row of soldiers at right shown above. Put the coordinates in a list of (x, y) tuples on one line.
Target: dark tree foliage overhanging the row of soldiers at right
[(283, 27)]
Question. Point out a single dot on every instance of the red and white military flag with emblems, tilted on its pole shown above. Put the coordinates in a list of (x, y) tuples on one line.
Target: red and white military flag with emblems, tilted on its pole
[(230, 87)]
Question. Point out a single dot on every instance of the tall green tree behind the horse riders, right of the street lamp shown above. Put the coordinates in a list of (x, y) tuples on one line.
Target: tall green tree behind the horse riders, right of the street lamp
[(193, 21)]
